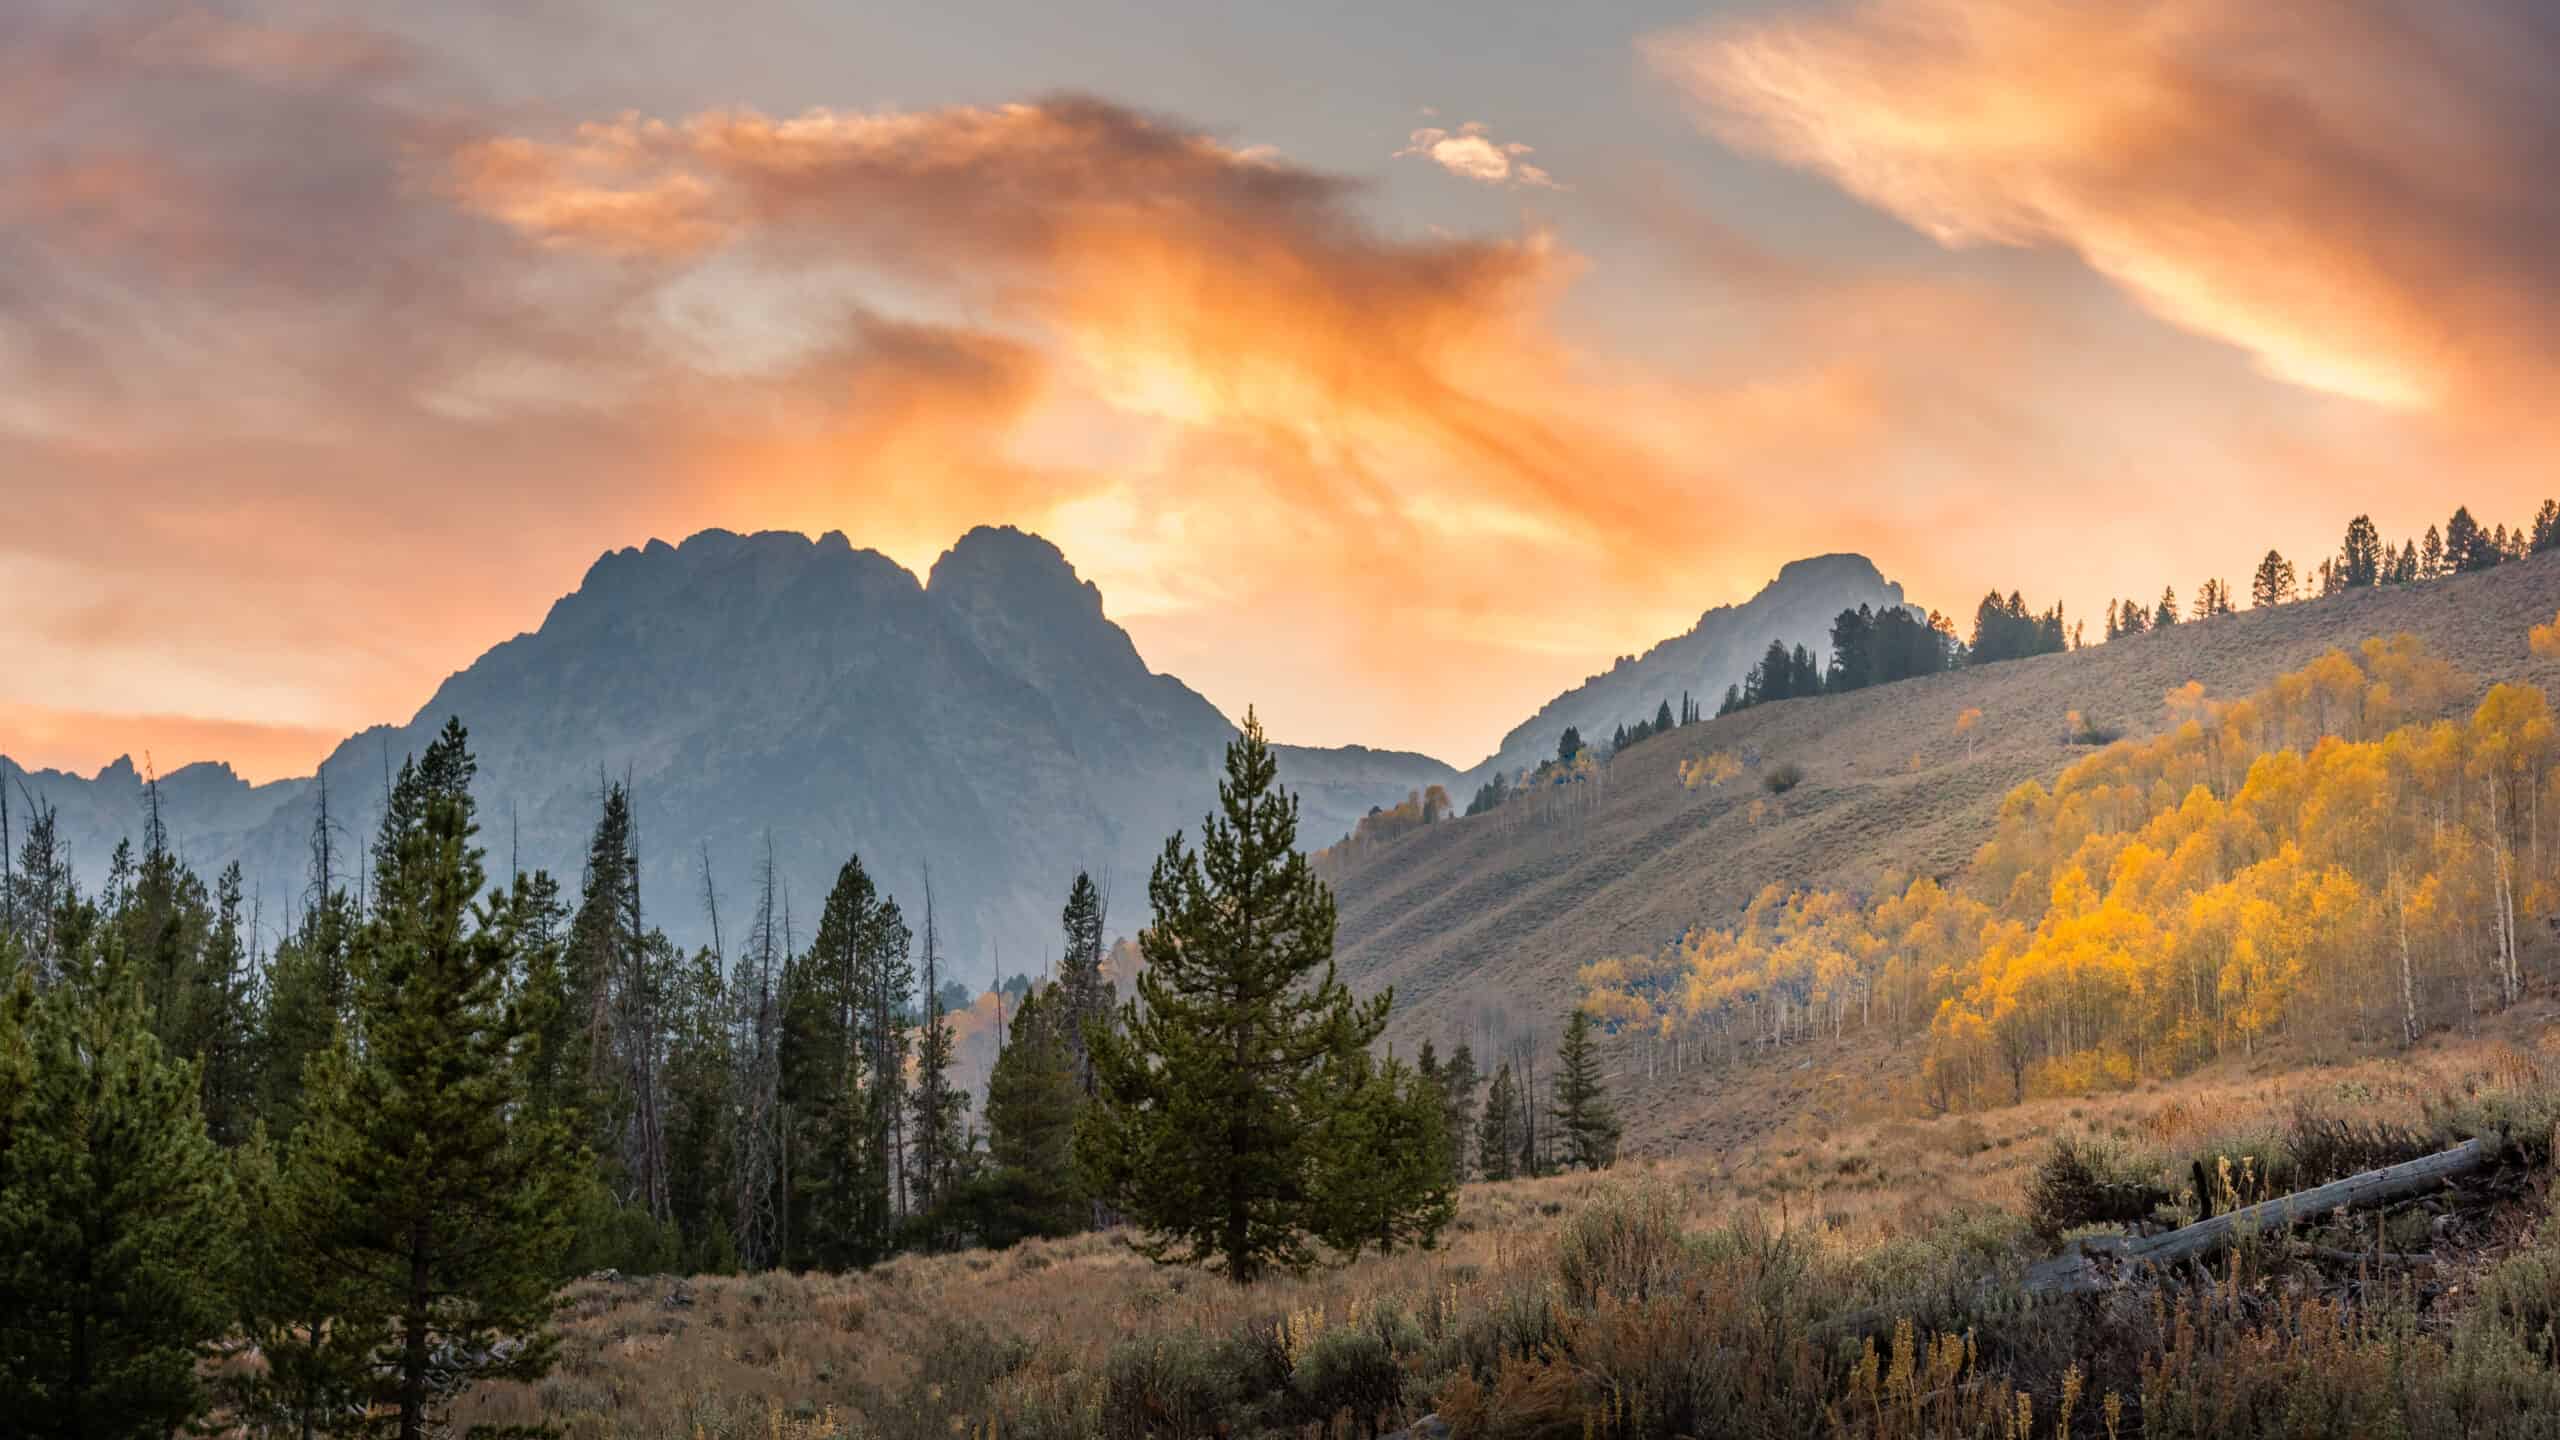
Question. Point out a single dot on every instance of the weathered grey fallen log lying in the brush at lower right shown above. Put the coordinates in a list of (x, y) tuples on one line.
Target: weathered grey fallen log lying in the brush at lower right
[(2080, 1272)]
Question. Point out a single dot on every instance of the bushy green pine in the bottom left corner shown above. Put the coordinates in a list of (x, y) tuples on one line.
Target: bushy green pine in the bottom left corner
[(119, 1223)]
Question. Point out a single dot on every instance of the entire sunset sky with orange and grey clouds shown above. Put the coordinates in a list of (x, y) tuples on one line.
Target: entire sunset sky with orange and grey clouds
[(1391, 368)]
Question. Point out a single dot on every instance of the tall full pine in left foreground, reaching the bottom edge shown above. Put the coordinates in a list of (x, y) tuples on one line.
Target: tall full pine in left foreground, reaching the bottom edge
[(421, 1177)]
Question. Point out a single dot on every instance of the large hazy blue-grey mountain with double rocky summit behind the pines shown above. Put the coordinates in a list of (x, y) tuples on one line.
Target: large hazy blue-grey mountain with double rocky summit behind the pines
[(989, 724)]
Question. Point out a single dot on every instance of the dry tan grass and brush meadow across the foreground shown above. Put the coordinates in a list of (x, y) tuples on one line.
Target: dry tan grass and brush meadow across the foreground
[(1668, 1298)]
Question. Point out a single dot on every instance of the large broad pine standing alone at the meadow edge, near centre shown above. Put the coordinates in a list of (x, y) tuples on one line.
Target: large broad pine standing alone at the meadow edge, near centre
[(1215, 1090)]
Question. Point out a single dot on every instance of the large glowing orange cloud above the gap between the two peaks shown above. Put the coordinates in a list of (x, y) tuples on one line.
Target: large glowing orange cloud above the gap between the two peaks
[(1284, 396)]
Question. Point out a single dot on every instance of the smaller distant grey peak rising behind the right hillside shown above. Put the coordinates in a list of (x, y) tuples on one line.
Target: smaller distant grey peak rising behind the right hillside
[(1727, 642)]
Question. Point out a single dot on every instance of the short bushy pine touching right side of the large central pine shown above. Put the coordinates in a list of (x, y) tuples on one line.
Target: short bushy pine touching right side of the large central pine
[(1386, 1136)]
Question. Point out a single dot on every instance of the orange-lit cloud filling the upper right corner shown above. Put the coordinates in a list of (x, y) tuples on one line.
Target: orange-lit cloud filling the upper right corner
[(2339, 188)]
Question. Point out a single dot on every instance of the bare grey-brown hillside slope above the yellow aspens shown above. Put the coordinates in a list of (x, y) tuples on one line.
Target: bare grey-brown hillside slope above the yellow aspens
[(1481, 924)]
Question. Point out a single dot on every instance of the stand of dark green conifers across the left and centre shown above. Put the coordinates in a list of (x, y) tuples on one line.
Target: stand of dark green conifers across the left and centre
[(372, 1154)]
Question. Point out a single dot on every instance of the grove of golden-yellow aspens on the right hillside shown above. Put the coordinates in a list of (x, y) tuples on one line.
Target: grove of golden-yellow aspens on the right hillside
[(2326, 857)]
